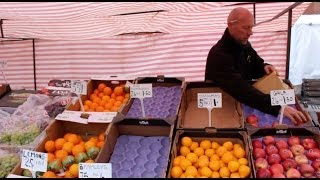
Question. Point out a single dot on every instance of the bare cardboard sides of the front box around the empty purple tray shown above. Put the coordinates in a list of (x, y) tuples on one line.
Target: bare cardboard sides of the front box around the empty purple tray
[(117, 129)]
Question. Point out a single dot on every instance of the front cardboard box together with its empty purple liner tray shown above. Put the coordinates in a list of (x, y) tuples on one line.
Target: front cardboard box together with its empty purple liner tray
[(137, 151)]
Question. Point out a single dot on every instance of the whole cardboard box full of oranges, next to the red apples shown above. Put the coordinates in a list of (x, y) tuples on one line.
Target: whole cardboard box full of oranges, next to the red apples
[(223, 138)]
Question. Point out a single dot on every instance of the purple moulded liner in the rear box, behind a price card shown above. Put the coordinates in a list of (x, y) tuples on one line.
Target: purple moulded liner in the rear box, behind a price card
[(163, 103)]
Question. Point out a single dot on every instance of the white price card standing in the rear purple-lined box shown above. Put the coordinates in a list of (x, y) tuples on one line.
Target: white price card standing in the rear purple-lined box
[(140, 90)]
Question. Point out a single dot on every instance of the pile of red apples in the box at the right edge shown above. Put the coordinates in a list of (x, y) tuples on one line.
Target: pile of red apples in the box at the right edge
[(286, 157)]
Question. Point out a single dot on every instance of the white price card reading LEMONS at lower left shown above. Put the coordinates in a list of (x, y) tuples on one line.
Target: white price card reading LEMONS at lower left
[(34, 161)]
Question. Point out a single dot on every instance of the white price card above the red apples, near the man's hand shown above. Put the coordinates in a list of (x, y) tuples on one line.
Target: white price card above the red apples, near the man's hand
[(282, 97)]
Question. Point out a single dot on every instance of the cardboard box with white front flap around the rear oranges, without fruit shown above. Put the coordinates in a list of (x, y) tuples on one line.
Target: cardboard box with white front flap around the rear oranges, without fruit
[(73, 110)]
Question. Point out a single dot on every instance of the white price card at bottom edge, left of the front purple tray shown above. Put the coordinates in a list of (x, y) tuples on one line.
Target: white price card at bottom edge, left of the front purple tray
[(95, 170)]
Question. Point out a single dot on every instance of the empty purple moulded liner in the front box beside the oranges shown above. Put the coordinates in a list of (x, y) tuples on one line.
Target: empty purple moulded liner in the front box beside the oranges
[(140, 157)]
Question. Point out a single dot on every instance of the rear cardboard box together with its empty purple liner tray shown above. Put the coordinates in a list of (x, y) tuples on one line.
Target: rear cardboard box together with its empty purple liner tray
[(162, 108)]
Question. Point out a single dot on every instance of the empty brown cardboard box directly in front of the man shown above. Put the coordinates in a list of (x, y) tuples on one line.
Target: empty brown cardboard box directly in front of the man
[(191, 117)]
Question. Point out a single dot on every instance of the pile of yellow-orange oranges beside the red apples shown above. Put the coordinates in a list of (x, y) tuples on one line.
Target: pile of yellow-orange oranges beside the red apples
[(209, 159)]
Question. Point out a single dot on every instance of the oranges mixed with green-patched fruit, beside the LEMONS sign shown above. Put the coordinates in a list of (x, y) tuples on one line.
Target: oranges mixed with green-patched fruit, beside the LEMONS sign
[(64, 154)]
